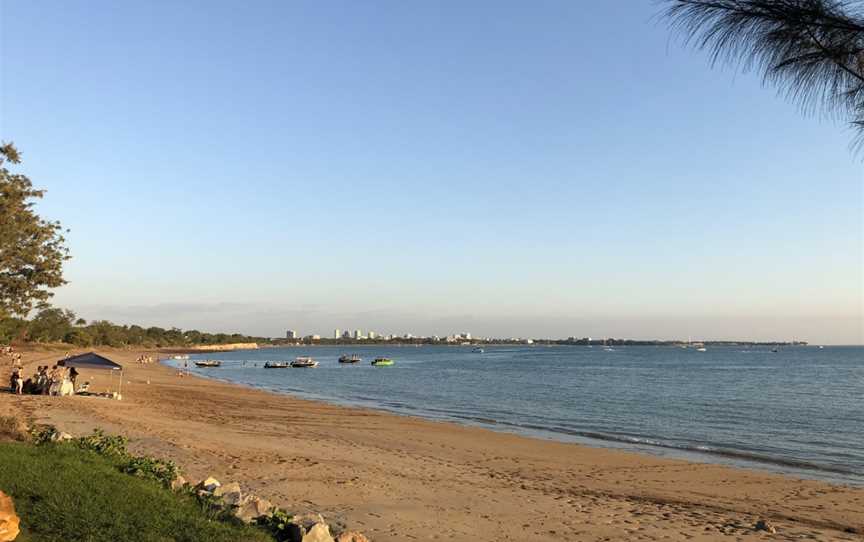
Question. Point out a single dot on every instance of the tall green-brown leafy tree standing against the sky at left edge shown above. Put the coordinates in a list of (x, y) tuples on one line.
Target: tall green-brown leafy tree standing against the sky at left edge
[(32, 249)]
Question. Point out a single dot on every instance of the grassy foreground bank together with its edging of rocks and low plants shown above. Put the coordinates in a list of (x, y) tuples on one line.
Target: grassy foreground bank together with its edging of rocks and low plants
[(93, 488)]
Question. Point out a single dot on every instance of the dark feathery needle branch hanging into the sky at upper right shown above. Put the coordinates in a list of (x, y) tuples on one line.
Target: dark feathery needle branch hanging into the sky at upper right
[(811, 50)]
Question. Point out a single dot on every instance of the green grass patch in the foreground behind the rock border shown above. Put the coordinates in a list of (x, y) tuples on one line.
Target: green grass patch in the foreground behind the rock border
[(62, 492)]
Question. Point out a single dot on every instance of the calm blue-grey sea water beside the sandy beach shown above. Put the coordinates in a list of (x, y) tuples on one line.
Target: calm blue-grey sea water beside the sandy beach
[(797, 411)]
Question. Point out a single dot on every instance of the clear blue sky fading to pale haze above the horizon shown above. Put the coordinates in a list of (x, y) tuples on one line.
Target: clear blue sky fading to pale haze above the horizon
[(542, 168)]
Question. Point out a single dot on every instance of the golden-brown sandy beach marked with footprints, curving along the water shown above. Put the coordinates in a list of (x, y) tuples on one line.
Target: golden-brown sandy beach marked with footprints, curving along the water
[(398, 478)]
